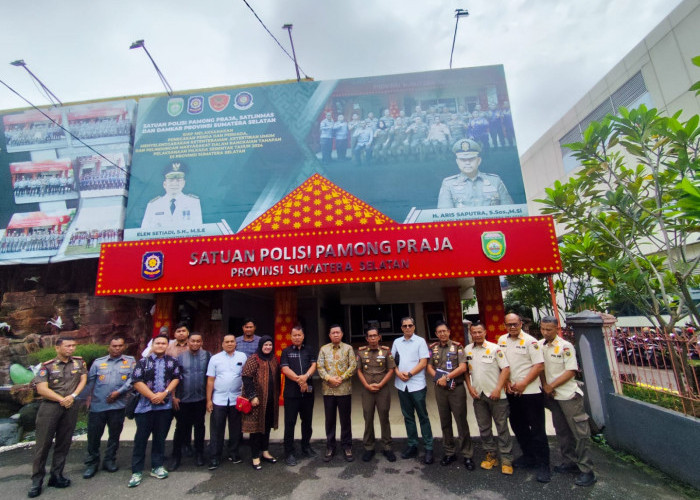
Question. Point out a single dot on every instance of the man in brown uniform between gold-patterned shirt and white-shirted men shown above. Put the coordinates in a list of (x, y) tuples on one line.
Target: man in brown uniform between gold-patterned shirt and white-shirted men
[(375, 368)]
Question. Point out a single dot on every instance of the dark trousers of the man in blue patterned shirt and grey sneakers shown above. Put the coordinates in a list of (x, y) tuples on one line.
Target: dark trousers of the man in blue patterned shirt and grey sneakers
[(151, 422)]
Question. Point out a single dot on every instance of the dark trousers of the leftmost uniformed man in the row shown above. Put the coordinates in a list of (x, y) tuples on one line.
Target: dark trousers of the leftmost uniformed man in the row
[(53, 423)]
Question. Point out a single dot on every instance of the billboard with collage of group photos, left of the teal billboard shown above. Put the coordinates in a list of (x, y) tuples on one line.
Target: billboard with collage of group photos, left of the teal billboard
[(63, 180)]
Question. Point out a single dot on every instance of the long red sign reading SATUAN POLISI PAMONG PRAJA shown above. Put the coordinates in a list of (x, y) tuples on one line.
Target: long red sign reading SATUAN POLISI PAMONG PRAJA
[(392, 252)]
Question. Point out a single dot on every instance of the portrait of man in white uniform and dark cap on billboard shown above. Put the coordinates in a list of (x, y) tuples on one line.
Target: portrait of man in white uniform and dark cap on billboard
[(174, 208)]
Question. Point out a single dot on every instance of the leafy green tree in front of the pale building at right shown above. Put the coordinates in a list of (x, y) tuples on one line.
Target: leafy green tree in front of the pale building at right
[(623, 209)]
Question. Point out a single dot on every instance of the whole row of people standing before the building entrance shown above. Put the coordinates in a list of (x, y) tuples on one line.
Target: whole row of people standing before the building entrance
[(512, 380)]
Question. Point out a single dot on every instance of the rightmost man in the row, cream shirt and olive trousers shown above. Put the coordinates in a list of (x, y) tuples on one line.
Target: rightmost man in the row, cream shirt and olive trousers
[(565, 401)]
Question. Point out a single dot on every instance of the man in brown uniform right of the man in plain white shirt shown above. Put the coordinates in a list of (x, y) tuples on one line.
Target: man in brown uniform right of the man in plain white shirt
[(447, 366)]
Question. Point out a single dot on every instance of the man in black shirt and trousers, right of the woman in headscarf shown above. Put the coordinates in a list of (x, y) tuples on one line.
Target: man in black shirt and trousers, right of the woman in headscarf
[(298, 363)]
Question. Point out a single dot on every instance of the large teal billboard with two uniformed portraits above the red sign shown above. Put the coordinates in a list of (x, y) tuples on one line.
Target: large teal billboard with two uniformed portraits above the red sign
[(420, 147)]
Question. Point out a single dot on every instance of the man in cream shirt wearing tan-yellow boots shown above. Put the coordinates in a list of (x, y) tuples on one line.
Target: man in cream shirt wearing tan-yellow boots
[(489, 371)]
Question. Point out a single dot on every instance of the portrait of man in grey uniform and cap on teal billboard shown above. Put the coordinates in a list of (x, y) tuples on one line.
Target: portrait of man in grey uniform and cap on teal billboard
[(470, 187)]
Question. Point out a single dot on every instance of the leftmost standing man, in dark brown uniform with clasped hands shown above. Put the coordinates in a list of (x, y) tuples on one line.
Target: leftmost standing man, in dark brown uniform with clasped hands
[(59, 382)]
